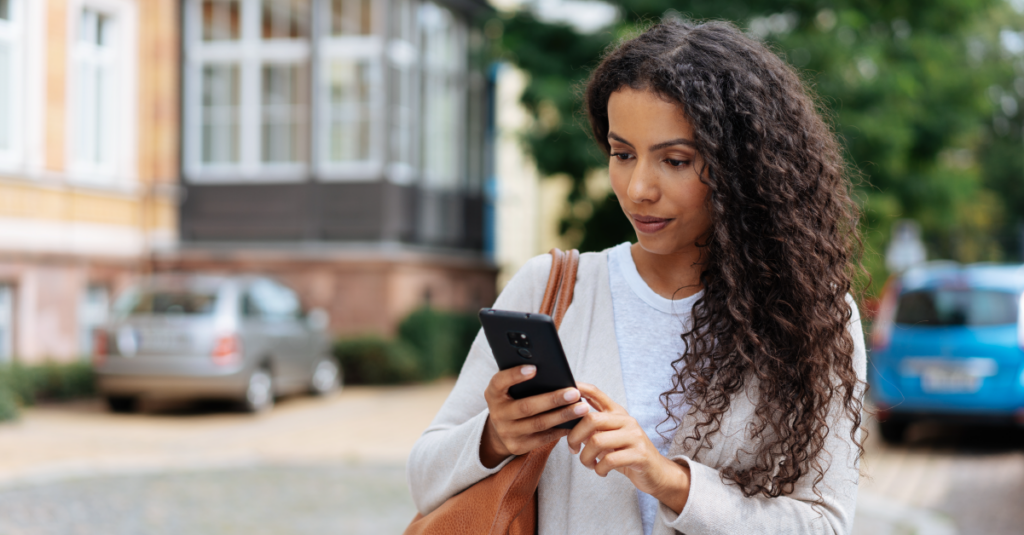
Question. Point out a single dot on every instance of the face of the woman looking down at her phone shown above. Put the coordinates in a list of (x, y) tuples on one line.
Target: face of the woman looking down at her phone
[(654, 172)]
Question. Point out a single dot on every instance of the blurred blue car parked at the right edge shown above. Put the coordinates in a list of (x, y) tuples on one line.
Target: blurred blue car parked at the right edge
[(949, 346)]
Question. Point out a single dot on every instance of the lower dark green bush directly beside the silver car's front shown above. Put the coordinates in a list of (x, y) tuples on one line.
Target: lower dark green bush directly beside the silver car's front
[(372, 360)]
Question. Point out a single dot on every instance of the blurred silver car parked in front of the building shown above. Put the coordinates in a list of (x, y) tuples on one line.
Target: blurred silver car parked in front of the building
[(242, 338)]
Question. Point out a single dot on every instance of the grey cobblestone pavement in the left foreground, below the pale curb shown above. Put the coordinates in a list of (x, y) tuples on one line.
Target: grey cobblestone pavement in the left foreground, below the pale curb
[(281, 501)]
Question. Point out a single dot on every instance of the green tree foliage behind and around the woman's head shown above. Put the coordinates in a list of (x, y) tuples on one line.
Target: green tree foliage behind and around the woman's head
[(921, 93)]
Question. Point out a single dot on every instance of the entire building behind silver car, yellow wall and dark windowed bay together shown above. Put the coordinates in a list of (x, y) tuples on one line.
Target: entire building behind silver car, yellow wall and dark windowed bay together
[(342, 146)]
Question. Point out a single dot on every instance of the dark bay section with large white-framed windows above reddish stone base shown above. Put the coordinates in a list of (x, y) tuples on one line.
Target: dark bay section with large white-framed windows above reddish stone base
[(340, 146)]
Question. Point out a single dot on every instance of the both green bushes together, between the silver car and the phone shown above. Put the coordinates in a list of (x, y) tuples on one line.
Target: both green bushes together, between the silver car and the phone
[(431, 345)]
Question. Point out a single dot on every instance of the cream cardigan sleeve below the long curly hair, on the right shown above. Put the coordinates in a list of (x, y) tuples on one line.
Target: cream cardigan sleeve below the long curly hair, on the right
[(716, 507)]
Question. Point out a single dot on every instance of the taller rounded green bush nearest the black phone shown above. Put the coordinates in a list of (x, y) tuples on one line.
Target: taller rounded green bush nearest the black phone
[(442, 340)]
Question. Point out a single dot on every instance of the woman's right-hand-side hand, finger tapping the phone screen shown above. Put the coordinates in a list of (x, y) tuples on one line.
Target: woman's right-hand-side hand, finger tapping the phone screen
[(613, 440)]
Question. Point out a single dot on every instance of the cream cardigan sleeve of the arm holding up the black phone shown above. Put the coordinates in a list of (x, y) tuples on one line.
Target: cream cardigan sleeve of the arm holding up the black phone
[(446, 461)]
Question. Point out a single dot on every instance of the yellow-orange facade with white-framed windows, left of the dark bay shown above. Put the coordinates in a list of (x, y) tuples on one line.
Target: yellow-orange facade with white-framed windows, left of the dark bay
[(89, 163)]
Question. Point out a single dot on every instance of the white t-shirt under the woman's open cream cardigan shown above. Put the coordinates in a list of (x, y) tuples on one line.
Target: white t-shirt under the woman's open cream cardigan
[(649, 330)]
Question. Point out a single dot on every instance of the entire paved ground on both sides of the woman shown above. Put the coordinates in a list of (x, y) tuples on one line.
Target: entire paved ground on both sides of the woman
[(336, 465)]
